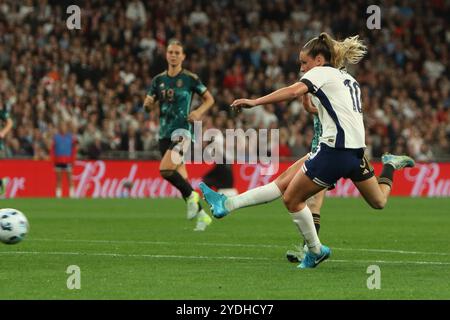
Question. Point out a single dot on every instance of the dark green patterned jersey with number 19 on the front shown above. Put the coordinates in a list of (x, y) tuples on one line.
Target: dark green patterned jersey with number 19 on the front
[(175, 96)]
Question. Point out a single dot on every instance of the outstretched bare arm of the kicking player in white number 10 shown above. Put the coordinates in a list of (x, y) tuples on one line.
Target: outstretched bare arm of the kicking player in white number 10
[(284, 94)]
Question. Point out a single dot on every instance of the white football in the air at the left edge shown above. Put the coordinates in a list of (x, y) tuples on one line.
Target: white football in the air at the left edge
[(13, 226)]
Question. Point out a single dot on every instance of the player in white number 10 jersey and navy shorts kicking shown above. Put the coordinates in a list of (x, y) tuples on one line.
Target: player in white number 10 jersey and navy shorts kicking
[(341, 150)]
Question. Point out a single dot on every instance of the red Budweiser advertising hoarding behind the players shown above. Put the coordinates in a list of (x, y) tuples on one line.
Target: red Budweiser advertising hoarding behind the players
[(105, 179)]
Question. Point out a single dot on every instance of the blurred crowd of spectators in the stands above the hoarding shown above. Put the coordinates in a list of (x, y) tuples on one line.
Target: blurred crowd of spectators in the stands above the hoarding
[(96, 78)]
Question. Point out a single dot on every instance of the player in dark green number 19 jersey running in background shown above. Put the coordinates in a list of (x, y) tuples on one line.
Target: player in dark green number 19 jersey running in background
[(173, 90)]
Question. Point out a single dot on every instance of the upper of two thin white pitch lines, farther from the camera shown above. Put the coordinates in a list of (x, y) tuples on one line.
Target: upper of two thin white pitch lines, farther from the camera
[(212, 244)]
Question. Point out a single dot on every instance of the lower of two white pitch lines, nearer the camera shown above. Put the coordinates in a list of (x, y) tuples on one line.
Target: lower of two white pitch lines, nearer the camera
[(160, 256)]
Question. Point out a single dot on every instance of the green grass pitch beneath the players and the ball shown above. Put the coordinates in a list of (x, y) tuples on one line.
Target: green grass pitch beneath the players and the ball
[(146, 249)]
